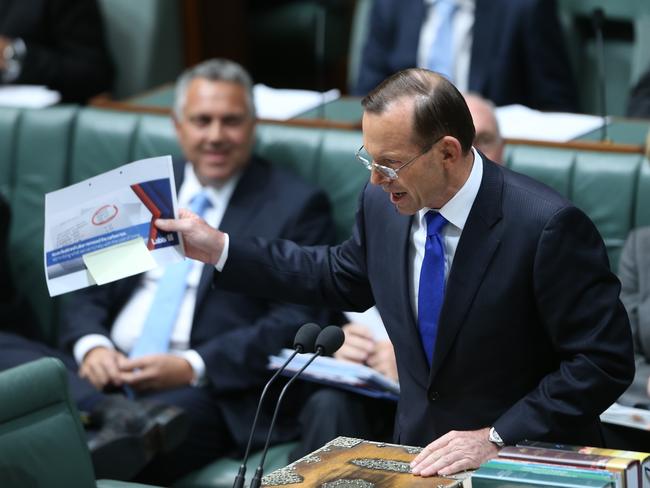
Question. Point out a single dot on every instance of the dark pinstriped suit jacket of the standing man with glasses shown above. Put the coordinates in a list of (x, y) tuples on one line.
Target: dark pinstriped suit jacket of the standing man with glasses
[(532, 338)]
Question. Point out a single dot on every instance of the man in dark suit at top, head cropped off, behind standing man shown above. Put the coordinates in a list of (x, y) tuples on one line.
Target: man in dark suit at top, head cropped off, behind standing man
[(509, 51)]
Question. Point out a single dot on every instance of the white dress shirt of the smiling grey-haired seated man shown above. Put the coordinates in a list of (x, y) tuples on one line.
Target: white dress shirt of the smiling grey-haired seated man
[(129, 322)]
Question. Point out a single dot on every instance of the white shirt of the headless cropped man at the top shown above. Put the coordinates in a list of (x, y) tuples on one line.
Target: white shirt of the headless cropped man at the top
[(462, 39)]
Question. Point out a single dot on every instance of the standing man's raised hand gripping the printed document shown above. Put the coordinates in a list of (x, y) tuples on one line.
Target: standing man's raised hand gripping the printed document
[(202, 242)]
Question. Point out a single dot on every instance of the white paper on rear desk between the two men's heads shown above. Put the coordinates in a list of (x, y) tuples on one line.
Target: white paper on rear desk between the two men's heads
[(283, 104)]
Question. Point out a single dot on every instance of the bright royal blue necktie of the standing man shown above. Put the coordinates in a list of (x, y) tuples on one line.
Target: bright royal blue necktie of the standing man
[(432, 284)]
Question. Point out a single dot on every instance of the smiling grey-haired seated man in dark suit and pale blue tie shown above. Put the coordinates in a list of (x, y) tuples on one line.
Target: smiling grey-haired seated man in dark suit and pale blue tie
[(217, 358)]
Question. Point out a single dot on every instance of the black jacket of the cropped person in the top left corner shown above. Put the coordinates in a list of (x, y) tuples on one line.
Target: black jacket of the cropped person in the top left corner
[(71, 56)]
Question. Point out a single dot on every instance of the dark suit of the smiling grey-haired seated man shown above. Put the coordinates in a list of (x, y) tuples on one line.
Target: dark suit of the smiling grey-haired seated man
[(234, 334)]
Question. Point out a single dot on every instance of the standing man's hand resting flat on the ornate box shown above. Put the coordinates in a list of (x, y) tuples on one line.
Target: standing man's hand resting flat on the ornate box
[(454, 452)]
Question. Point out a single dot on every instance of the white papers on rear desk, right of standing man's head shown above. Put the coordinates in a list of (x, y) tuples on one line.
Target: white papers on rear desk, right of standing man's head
[(520, 122)]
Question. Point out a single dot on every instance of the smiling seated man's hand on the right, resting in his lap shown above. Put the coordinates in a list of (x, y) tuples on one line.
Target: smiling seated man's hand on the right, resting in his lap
[(156, 372)]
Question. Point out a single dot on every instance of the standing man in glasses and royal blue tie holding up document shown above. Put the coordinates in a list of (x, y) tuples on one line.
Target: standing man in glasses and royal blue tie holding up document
[(529, 341)]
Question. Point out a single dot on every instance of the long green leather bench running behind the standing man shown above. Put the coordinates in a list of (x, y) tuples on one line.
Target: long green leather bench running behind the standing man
[(43, 150)]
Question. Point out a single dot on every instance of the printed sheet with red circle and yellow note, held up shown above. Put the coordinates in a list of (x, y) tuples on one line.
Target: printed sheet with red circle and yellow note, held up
[(101, 229)]
